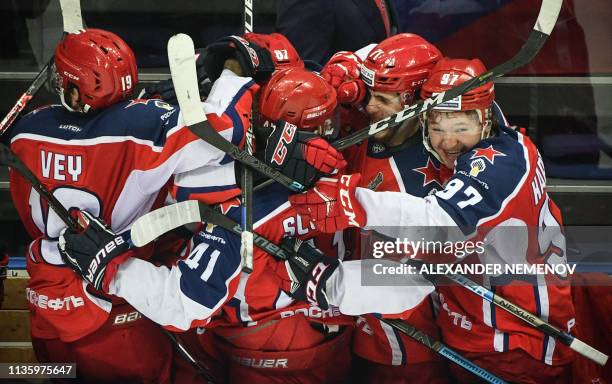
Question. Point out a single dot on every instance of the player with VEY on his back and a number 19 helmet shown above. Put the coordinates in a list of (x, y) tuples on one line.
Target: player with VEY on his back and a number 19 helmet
[(113, 157)]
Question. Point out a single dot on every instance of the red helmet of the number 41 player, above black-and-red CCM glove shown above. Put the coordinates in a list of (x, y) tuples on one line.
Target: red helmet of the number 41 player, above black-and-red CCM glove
[(298, 96)]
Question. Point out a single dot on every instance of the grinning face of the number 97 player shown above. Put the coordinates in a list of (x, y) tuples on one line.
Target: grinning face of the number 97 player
[(453, 133)]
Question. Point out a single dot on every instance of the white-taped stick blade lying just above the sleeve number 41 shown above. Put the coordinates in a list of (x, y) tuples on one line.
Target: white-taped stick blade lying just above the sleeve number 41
[(155, 223)]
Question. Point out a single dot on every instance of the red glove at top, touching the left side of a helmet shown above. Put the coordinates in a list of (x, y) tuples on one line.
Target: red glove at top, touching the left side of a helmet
[(342, 73)]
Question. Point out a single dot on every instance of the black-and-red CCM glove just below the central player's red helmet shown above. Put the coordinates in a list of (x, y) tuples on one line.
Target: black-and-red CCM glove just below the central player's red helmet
[(302, 156)]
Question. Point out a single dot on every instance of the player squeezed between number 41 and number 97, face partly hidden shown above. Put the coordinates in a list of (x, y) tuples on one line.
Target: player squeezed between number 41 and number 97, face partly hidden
[(393, 160)]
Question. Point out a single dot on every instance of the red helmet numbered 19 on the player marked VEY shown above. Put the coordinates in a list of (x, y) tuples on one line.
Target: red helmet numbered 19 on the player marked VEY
[(100, 64)]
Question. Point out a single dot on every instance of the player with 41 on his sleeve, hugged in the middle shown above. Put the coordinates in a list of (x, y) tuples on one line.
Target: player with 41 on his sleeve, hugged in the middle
[(263, 333)]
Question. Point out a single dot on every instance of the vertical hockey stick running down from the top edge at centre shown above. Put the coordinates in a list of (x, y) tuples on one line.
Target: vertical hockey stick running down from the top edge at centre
[(246, 177)]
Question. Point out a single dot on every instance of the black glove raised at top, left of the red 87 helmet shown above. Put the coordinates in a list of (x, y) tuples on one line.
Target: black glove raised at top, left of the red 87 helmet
[(254, 61)]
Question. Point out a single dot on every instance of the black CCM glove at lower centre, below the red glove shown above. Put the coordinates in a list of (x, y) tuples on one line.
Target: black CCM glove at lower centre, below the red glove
[(308, 269)]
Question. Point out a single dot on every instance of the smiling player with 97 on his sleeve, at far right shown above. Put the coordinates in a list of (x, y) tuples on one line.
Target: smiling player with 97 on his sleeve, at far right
[(462, 134)]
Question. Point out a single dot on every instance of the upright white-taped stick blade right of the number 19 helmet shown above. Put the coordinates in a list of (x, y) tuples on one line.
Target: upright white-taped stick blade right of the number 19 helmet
[(181, 56)]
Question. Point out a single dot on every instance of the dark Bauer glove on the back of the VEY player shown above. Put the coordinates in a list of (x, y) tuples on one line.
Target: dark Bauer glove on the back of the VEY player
[(95, 253)]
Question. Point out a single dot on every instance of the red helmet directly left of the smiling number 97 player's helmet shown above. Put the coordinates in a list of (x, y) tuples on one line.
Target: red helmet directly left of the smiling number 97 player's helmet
[(400, 64)]
